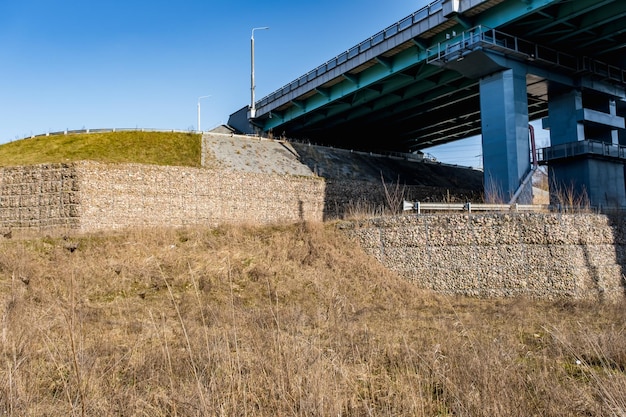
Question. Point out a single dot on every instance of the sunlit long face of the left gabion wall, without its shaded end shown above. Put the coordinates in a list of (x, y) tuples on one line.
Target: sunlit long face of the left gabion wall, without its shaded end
[(126, 195)]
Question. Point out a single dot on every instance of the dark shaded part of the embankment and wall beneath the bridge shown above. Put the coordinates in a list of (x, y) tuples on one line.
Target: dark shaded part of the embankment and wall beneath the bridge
[(367, 183)]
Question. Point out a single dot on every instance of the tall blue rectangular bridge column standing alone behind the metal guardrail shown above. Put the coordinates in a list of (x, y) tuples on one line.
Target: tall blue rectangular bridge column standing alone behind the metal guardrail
[(505, 135)]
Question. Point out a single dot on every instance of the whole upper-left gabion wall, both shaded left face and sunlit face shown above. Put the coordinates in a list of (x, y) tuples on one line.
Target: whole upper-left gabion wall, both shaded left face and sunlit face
[(92, 196)]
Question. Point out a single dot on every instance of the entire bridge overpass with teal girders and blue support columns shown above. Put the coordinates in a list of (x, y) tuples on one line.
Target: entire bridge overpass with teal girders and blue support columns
[(459, 68)]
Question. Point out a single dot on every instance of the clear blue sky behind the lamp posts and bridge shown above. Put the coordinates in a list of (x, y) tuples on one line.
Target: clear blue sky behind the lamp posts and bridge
[(73, 64)]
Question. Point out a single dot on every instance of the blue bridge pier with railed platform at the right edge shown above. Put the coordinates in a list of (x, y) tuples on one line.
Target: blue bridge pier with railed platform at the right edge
[(586, 166)]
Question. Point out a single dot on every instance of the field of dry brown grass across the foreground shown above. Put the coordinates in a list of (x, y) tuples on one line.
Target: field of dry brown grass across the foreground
[(281, 321)]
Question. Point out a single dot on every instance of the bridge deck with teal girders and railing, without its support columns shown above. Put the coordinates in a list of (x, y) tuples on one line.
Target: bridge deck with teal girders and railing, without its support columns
[(391, 91)]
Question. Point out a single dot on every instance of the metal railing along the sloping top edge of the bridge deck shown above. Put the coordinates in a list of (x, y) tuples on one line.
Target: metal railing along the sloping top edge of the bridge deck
[(400, 26)]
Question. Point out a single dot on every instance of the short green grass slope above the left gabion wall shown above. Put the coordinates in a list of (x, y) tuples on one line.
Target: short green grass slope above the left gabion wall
[(158, 148)]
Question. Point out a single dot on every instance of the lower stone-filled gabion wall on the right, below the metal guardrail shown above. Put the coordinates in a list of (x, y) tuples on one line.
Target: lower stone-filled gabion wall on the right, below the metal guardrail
[(578, 256)]
